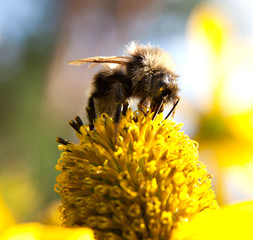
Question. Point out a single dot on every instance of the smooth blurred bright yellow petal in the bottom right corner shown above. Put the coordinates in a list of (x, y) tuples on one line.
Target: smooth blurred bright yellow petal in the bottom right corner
[(230, 222)]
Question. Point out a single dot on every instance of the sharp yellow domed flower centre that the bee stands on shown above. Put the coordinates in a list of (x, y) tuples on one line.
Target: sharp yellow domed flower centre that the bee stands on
[(141, 187)]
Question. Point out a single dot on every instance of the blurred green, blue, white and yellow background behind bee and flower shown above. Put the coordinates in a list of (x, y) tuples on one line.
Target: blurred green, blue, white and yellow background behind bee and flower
[(211, 42)]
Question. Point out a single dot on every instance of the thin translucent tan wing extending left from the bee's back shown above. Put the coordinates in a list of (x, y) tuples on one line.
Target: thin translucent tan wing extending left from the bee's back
[(112, 59)]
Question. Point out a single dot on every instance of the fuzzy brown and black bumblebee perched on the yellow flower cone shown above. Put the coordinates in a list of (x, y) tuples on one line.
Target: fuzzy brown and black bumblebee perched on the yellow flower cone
[(146, 73)]
